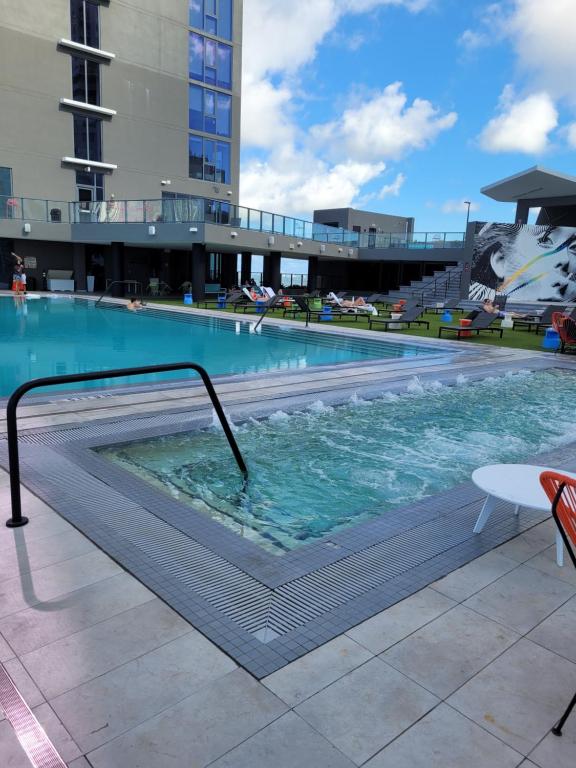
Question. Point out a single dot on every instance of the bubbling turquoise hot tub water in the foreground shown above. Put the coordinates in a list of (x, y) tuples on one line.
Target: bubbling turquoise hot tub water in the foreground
[(324, 469)]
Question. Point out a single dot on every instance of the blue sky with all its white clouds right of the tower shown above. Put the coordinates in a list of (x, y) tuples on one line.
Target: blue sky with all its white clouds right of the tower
[(406, 107)]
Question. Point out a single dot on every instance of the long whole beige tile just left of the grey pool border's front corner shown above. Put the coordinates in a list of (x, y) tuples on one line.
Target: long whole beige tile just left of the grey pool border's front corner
[(102, 709)]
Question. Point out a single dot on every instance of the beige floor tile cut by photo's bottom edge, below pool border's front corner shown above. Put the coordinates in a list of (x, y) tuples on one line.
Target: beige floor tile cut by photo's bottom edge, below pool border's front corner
[(198, 730)]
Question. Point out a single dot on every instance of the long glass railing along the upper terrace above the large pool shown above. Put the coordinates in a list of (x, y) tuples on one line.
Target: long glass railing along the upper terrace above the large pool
[(189, 210)]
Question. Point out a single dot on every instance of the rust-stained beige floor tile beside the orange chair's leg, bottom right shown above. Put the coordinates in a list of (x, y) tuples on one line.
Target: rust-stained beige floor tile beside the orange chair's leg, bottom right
[(519, 696)]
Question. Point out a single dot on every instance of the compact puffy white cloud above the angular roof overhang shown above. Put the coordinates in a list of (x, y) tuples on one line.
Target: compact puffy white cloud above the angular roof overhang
[(523, 125)]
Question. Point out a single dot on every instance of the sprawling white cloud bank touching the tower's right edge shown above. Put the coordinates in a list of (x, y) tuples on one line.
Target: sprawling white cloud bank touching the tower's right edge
[(280, 38)]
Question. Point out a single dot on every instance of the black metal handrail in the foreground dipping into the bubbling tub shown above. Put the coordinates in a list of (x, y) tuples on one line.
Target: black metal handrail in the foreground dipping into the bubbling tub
[(17, 518)]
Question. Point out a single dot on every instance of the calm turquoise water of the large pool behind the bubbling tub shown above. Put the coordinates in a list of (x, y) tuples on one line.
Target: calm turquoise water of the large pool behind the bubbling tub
[(56, 336)]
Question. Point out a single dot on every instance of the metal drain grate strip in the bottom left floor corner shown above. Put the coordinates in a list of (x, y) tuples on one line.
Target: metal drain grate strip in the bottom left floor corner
[(32, 737)]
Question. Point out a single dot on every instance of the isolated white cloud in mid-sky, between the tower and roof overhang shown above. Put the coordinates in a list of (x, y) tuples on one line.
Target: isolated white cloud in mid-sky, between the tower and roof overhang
[(385, 127)]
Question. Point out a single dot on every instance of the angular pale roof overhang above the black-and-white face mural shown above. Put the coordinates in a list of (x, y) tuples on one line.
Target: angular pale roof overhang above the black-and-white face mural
[(535, 183)]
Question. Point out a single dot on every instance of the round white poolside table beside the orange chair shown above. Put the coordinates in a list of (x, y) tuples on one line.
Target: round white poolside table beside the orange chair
[(520, 485)]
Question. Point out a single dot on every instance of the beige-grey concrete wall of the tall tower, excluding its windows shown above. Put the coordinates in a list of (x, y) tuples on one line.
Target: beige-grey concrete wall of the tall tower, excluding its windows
[(147, 83)]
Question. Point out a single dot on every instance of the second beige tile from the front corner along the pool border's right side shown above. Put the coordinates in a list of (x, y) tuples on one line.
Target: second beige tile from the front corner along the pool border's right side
[(395, 623)]
